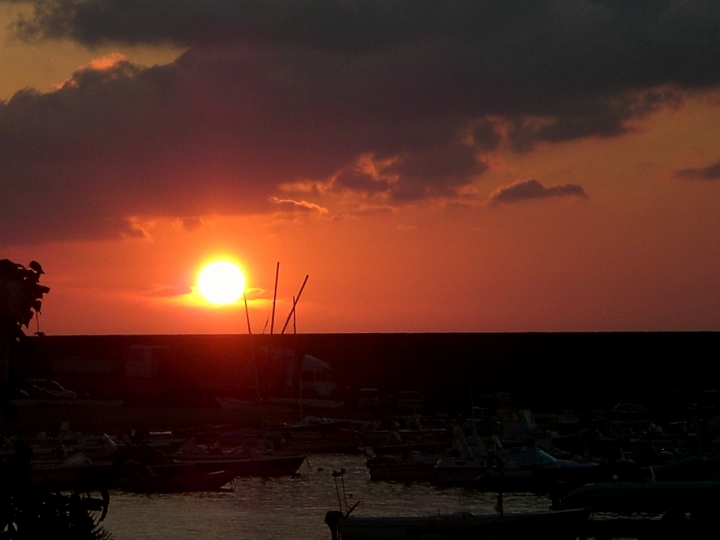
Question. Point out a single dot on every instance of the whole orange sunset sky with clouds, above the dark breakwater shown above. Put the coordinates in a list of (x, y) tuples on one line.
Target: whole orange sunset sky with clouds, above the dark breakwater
[(433, 166)]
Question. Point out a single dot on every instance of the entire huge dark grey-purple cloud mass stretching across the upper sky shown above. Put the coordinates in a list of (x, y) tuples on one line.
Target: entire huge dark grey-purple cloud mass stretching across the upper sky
[(274, 93)]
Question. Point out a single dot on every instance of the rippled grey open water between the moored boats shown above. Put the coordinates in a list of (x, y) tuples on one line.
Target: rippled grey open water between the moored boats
[(290, 508)]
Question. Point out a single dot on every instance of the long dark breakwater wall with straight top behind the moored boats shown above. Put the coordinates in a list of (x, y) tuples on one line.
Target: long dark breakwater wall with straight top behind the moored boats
[(553, 370)]
